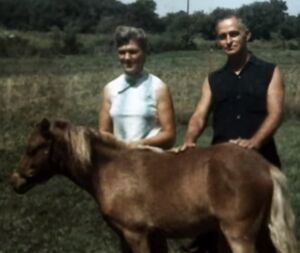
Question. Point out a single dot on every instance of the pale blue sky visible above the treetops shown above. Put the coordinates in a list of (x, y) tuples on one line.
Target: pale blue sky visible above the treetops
[(167, 6)]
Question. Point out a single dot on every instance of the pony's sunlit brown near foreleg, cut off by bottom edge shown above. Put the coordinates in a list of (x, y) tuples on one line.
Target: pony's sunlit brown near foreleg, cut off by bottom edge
[(137, 241)]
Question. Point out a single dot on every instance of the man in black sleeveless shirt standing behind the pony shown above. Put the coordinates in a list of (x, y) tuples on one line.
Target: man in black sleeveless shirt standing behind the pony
[(246, 98)]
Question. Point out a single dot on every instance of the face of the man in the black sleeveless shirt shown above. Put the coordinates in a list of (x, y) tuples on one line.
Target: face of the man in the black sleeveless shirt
[(231, 36)]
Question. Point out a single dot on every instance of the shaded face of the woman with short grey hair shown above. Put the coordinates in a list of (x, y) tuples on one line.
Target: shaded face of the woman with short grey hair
[(131, 57)]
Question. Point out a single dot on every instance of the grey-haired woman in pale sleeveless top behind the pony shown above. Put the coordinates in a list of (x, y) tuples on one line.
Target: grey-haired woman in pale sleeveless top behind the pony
[(137, 106)]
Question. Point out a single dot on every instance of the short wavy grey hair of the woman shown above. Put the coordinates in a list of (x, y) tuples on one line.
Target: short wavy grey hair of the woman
[(124, 34)]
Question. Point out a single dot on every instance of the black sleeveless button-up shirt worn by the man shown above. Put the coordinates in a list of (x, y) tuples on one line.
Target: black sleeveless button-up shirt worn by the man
[(239, 103)]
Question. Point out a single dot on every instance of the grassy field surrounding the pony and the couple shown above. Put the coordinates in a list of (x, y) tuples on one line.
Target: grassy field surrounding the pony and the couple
[(58, 216)]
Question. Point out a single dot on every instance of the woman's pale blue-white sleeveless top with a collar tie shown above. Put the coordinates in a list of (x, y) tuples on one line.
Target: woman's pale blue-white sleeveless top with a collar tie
[(133, 106)]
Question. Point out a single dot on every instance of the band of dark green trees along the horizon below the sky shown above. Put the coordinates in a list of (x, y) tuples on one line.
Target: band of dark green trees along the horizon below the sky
[(89, 16)]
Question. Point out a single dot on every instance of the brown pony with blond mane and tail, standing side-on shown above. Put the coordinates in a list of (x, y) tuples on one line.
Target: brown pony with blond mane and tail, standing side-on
[(148, 195)]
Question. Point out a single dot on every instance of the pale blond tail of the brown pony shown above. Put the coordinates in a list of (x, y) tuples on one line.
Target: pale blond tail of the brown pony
[(282, 219)]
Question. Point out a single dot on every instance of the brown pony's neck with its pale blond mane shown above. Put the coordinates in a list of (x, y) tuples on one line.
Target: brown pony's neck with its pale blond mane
[(84, 152)]
